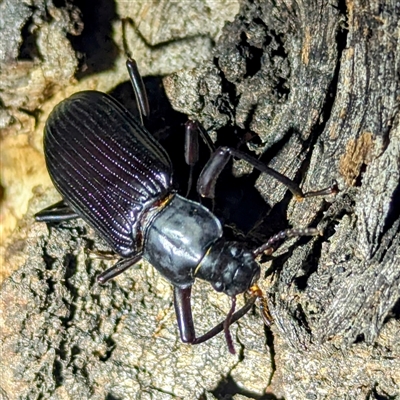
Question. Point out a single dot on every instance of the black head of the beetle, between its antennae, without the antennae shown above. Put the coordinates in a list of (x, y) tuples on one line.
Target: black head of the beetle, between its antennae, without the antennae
[(229, 267)]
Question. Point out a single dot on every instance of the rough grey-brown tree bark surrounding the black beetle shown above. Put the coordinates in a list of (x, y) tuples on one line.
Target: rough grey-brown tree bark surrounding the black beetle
[(313, 89)]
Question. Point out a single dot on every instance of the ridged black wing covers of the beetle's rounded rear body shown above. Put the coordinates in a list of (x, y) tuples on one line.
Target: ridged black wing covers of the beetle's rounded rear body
[(106, 166)]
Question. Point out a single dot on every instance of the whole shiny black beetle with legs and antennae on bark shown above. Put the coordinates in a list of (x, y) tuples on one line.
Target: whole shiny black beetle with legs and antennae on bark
[(111, 172)]
